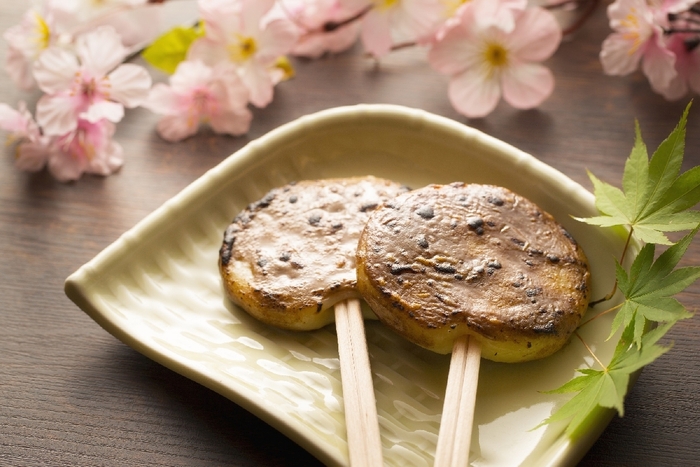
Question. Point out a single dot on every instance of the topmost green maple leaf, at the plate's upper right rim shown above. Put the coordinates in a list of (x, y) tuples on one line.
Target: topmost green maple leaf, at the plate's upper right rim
[(654, 198)]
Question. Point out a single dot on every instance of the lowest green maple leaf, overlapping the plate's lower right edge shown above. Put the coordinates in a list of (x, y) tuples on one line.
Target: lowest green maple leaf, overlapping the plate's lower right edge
[(607, 387)]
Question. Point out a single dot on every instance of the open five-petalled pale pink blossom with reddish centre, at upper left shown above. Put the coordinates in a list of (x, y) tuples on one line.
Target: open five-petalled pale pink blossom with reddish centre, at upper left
[(89, 84)]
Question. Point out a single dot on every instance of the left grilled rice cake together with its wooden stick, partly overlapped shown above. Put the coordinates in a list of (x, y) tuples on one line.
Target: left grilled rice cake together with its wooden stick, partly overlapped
[(289, 261)]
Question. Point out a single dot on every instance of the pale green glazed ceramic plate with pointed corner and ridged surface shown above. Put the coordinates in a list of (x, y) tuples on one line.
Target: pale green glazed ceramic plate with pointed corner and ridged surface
[(157, 288)]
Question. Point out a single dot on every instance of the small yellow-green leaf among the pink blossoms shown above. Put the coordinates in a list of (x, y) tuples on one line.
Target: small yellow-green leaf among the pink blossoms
[(166, 52)]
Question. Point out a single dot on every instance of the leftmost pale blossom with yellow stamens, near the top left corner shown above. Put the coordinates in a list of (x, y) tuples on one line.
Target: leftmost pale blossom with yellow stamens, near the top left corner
[(27, 41)]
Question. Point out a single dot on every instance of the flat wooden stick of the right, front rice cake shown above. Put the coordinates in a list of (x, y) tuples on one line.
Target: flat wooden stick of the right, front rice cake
[(457, 418)]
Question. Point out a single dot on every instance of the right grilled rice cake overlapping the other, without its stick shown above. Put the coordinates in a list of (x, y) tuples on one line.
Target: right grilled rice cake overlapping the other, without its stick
[(451, 260)]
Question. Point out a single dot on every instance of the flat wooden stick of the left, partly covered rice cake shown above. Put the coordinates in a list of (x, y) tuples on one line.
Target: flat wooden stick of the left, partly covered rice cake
[(364, 443)]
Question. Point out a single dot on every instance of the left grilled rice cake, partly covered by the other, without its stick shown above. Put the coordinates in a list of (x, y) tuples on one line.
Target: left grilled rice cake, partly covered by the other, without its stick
[(289, 257)]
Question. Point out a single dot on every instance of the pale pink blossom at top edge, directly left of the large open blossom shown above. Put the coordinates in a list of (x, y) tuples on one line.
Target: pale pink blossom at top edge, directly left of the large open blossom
[(394, 22)]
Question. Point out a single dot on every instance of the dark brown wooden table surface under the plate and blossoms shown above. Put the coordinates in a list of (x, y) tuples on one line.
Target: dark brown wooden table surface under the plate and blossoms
[(73, 395)]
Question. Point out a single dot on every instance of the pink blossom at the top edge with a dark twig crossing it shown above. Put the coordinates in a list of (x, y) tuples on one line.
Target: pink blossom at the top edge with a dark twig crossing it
[(313, 18)]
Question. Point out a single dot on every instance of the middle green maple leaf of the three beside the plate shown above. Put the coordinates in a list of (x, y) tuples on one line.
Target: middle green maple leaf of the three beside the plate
[(649, 288)]
